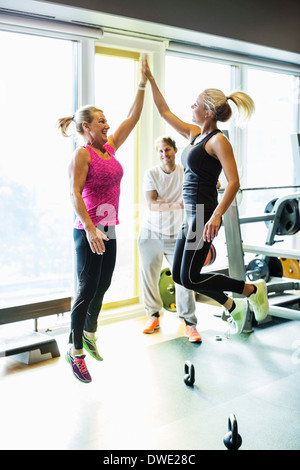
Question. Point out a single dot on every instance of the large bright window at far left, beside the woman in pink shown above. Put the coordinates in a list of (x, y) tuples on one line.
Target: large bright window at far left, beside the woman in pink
[(36, 88)]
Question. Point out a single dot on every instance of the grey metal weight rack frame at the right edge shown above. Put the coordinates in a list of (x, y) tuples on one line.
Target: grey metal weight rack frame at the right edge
[(281, 300)]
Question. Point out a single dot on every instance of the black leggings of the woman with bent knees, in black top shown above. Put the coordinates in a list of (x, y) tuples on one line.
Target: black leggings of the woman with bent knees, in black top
[(190, 256)]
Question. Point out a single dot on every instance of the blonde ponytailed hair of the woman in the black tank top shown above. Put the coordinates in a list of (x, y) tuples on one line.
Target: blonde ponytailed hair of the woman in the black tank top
[(217, 101)]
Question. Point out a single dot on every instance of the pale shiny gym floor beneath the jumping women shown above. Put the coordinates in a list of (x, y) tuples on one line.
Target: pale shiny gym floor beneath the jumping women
[(138, 399)]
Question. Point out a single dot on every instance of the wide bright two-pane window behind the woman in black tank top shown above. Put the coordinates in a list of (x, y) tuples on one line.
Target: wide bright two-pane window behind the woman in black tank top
[(263, 149)]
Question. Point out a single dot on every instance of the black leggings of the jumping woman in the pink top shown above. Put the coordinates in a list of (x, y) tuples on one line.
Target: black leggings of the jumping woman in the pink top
[(94, 273)]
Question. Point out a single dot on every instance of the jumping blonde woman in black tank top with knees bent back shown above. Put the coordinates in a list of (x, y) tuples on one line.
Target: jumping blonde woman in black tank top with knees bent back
[(208, 153)]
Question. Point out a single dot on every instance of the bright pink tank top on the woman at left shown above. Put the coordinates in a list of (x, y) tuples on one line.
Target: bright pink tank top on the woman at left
[(101, 191)]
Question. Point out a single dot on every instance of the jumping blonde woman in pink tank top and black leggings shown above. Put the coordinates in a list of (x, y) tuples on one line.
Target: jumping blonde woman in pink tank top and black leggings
[(95, 176)]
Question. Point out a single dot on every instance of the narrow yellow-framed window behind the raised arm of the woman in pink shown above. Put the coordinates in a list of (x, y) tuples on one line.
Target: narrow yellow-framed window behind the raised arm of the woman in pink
[(116, 81)]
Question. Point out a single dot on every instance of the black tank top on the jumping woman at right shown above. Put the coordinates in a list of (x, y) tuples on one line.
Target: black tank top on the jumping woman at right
[(202, 172)]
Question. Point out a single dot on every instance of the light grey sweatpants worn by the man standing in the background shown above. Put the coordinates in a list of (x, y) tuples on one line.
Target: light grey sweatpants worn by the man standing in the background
[(152, 251)]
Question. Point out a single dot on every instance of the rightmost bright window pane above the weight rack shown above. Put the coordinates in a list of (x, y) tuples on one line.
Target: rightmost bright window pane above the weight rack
[(268, 160)]
